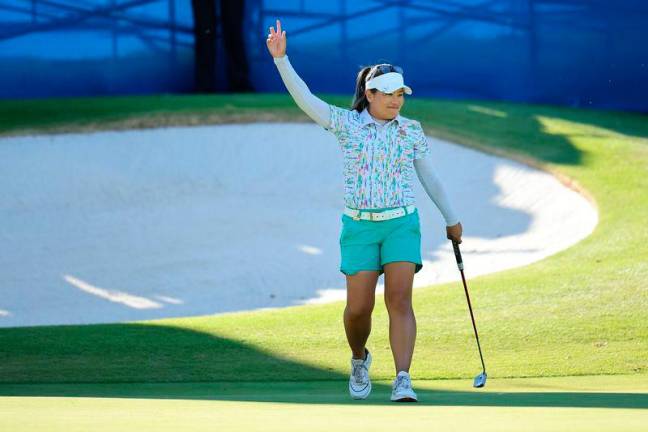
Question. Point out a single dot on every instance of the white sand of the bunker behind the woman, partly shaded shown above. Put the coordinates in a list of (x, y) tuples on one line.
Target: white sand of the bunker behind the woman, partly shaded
[(130, 225)]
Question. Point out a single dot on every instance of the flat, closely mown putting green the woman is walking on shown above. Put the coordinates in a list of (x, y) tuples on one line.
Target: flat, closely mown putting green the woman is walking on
[(586, 403)]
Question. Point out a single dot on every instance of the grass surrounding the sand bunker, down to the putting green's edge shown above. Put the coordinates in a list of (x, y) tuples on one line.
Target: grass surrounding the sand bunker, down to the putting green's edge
[(579, 312)]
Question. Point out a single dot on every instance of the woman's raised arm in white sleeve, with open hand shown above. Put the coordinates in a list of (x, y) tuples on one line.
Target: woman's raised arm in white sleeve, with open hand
[(314, 107)]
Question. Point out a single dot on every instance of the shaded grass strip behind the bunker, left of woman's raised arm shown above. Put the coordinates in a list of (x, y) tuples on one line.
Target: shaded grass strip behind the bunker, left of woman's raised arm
[(124, 112)]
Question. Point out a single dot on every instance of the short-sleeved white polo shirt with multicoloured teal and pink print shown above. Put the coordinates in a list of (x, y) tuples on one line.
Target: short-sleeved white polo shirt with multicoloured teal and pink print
[(378, 159)]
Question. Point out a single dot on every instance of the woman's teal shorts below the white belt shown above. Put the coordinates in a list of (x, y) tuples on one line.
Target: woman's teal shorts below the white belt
[(369, 245)]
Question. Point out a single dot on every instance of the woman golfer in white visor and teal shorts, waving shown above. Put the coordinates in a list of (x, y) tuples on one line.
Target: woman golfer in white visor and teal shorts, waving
[(380, 224)]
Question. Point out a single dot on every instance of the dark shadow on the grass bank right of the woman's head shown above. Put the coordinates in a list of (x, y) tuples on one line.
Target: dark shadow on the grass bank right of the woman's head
[(526, 129)]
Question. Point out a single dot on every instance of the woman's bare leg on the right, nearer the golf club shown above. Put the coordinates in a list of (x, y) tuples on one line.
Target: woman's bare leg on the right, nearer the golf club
[(399, 278)]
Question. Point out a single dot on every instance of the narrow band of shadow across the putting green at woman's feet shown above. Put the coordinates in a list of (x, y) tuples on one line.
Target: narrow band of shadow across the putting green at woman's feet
[(325, 392)]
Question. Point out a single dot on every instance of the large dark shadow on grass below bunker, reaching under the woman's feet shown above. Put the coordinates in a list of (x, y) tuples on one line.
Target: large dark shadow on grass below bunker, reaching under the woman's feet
[(154, 361)]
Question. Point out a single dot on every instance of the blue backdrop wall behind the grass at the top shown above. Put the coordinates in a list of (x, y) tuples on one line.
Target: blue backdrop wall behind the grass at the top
[(578, 53)]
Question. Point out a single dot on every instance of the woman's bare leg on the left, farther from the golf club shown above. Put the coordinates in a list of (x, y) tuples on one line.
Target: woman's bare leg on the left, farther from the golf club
[(361, 294)]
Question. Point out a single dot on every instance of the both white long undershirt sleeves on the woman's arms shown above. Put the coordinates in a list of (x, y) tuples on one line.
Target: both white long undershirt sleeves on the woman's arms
[(319, 111)]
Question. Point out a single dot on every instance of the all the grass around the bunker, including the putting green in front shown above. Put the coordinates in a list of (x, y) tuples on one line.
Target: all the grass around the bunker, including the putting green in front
[(565, 339)]
